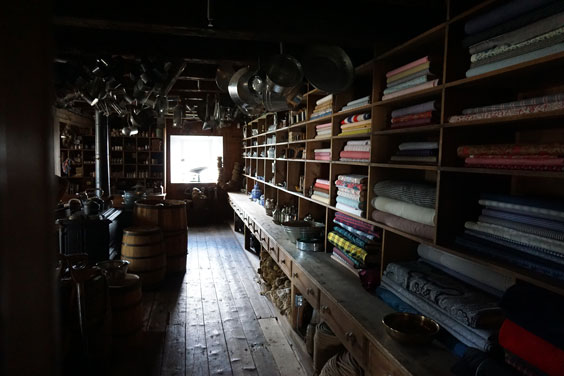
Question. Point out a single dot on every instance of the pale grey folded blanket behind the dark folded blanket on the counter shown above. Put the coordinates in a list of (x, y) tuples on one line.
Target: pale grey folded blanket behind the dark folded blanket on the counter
[(478, 274)]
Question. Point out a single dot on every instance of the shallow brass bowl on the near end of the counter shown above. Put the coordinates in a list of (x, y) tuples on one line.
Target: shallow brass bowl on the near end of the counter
[(409, 328)]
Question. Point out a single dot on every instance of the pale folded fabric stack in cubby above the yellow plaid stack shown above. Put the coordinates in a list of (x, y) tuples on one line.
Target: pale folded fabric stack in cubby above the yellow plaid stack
[(351, 193)]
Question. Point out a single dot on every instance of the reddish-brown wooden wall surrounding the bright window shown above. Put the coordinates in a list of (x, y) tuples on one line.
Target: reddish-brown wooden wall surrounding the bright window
[(232, 138)]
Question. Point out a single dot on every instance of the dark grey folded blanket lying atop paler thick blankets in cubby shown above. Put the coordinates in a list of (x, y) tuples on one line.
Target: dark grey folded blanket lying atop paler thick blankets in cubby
[(414, 193)]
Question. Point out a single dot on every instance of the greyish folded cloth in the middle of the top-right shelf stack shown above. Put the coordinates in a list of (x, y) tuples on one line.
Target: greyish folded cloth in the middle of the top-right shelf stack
[(527, 32)]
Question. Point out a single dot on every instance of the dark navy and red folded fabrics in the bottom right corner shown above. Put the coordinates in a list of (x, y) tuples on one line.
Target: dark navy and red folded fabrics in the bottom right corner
[(533, 333)]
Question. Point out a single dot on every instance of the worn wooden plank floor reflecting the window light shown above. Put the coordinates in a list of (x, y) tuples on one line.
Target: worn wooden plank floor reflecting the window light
[(211, 320)]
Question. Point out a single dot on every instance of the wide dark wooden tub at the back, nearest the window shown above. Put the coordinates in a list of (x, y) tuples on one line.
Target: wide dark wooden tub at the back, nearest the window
[(169, 215)]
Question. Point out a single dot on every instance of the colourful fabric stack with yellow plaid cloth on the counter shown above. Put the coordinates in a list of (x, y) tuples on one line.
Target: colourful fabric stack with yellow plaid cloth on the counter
[(357, 245)]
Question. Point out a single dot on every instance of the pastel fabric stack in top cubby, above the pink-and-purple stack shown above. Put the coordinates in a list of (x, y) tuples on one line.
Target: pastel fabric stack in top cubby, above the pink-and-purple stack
[(410, 78)]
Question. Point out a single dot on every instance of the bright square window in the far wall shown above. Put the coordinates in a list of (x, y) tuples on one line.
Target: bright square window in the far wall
[(193, 159)]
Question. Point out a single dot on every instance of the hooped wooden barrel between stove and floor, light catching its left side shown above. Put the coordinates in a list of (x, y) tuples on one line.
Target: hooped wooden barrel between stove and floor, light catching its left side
[(143, 248)]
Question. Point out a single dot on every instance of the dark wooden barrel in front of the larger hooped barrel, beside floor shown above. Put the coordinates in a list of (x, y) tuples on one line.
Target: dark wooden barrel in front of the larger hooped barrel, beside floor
[(127, 306)]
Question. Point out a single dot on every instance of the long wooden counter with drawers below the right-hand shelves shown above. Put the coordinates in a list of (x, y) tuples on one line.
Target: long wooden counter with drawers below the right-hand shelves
[(353, 314)]
